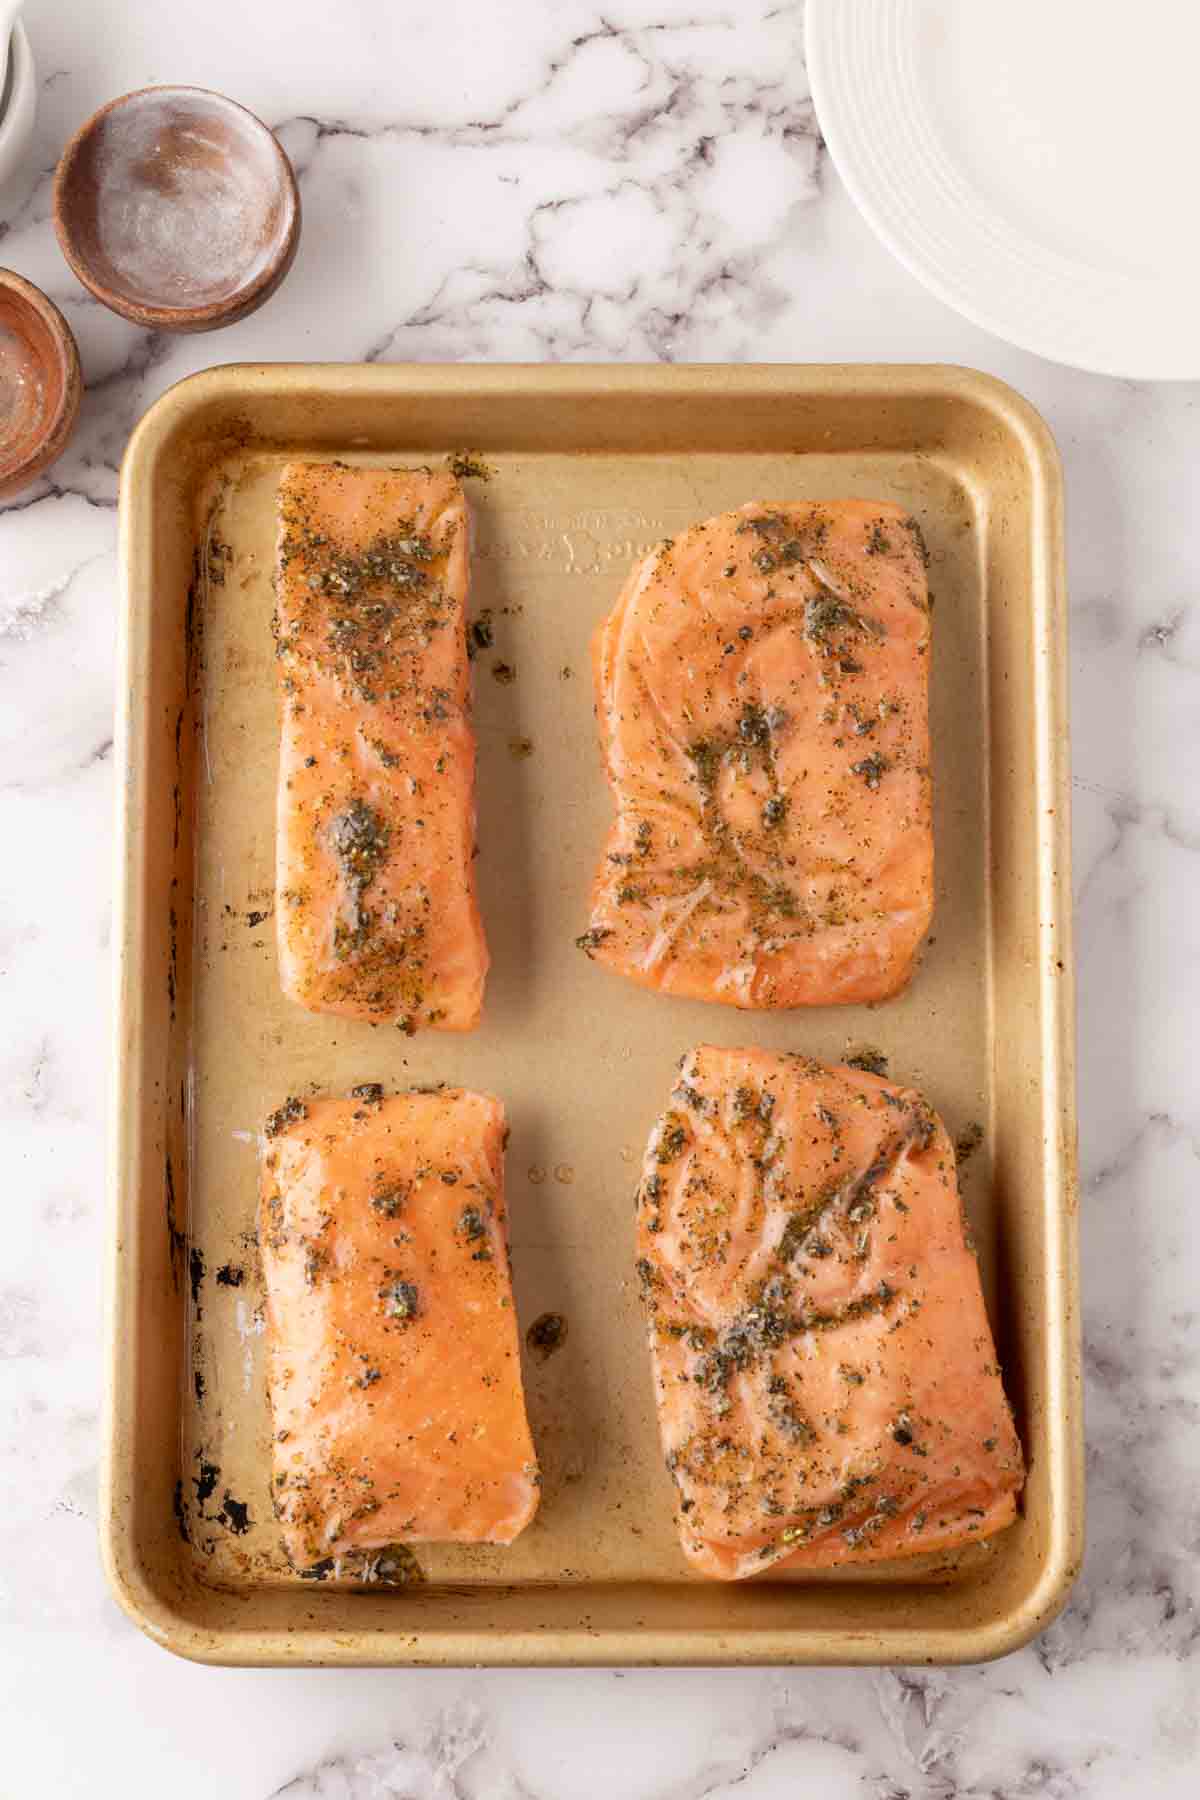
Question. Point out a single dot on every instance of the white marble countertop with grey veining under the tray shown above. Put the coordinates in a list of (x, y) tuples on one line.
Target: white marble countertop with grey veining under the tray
[(499, 179)]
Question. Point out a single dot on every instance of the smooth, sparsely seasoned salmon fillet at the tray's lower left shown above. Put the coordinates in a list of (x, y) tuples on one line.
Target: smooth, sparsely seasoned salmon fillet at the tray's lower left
[(391, 1338)]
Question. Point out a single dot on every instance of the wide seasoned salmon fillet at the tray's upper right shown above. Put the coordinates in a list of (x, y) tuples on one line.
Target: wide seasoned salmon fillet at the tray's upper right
[(762, 690)]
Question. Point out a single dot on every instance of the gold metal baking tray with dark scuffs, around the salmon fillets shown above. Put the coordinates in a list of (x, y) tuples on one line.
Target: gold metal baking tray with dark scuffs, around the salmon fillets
[(587, 471)]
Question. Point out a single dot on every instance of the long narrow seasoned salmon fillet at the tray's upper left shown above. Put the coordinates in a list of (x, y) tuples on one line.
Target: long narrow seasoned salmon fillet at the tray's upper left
[(375, 906)]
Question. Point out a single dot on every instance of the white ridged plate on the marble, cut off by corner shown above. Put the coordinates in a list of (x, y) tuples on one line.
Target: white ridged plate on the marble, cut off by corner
[(1034, 163)]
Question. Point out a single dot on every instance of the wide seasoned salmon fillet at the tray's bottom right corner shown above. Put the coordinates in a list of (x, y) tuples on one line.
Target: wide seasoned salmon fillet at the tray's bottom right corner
[(827, 1381)]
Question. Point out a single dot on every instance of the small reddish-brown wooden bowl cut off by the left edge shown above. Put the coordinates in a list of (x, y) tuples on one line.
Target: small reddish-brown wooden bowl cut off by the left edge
[(40, 382)]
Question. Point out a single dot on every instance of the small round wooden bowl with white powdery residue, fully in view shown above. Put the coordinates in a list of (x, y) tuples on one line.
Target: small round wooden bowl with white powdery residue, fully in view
[(177, 210)]
